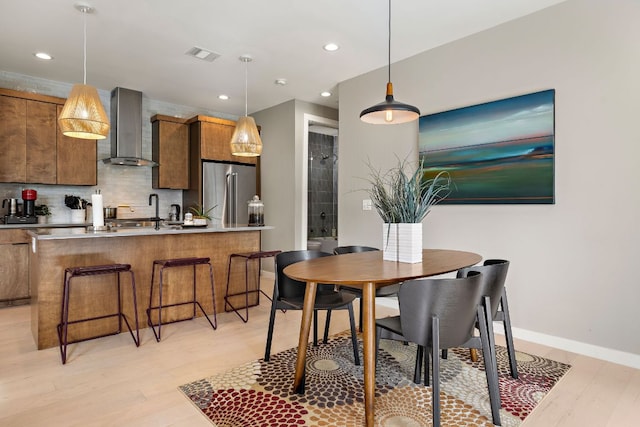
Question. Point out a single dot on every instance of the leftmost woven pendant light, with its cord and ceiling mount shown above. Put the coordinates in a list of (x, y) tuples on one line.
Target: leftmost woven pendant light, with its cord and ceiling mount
[(83, 115)]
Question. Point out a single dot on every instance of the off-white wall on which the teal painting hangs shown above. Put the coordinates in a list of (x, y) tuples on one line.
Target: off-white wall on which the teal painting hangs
[(572, 274)]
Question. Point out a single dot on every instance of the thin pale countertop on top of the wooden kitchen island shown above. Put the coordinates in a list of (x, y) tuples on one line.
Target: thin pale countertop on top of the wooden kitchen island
[(87, 233)]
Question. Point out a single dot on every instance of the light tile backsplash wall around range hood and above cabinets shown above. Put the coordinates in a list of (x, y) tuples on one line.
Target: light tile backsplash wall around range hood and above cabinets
[(119, 185)]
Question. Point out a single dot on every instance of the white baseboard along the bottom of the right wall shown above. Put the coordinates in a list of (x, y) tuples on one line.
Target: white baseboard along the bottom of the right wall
[(603, 353)]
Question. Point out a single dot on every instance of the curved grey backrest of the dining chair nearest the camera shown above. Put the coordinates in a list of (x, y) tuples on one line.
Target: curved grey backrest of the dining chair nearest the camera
[(453, 300)]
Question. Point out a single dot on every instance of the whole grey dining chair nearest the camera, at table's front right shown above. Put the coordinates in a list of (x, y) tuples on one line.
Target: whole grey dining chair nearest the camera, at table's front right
[(441, 313)]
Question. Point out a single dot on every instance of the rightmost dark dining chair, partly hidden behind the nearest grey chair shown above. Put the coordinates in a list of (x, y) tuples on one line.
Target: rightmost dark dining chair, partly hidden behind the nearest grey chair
[(494, 274)]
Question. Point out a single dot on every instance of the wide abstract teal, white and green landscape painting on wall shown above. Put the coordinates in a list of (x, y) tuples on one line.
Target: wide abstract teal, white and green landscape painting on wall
[(500, 152)]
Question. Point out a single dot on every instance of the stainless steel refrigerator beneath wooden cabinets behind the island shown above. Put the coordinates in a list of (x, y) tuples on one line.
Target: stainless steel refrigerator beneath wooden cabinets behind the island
[(228, 187)]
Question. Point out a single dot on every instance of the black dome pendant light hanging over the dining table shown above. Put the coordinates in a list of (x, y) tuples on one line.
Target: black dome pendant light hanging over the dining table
[(389, 111)]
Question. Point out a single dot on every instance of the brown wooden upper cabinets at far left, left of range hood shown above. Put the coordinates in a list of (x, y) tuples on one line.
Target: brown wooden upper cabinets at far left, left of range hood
[(34, 151)]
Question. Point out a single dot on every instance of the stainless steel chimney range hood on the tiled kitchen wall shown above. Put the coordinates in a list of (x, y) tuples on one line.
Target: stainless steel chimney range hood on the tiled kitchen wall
[(126, 129)]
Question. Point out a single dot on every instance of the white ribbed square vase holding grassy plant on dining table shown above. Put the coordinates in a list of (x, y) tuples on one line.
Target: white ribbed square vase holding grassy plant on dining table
[(402, 242)]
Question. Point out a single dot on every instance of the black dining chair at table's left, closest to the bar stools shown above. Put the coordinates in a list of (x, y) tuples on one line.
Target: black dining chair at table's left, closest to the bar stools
[(288, 294)]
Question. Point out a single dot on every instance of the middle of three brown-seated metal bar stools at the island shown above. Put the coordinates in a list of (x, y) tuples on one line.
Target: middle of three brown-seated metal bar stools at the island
[(172, 263)]
